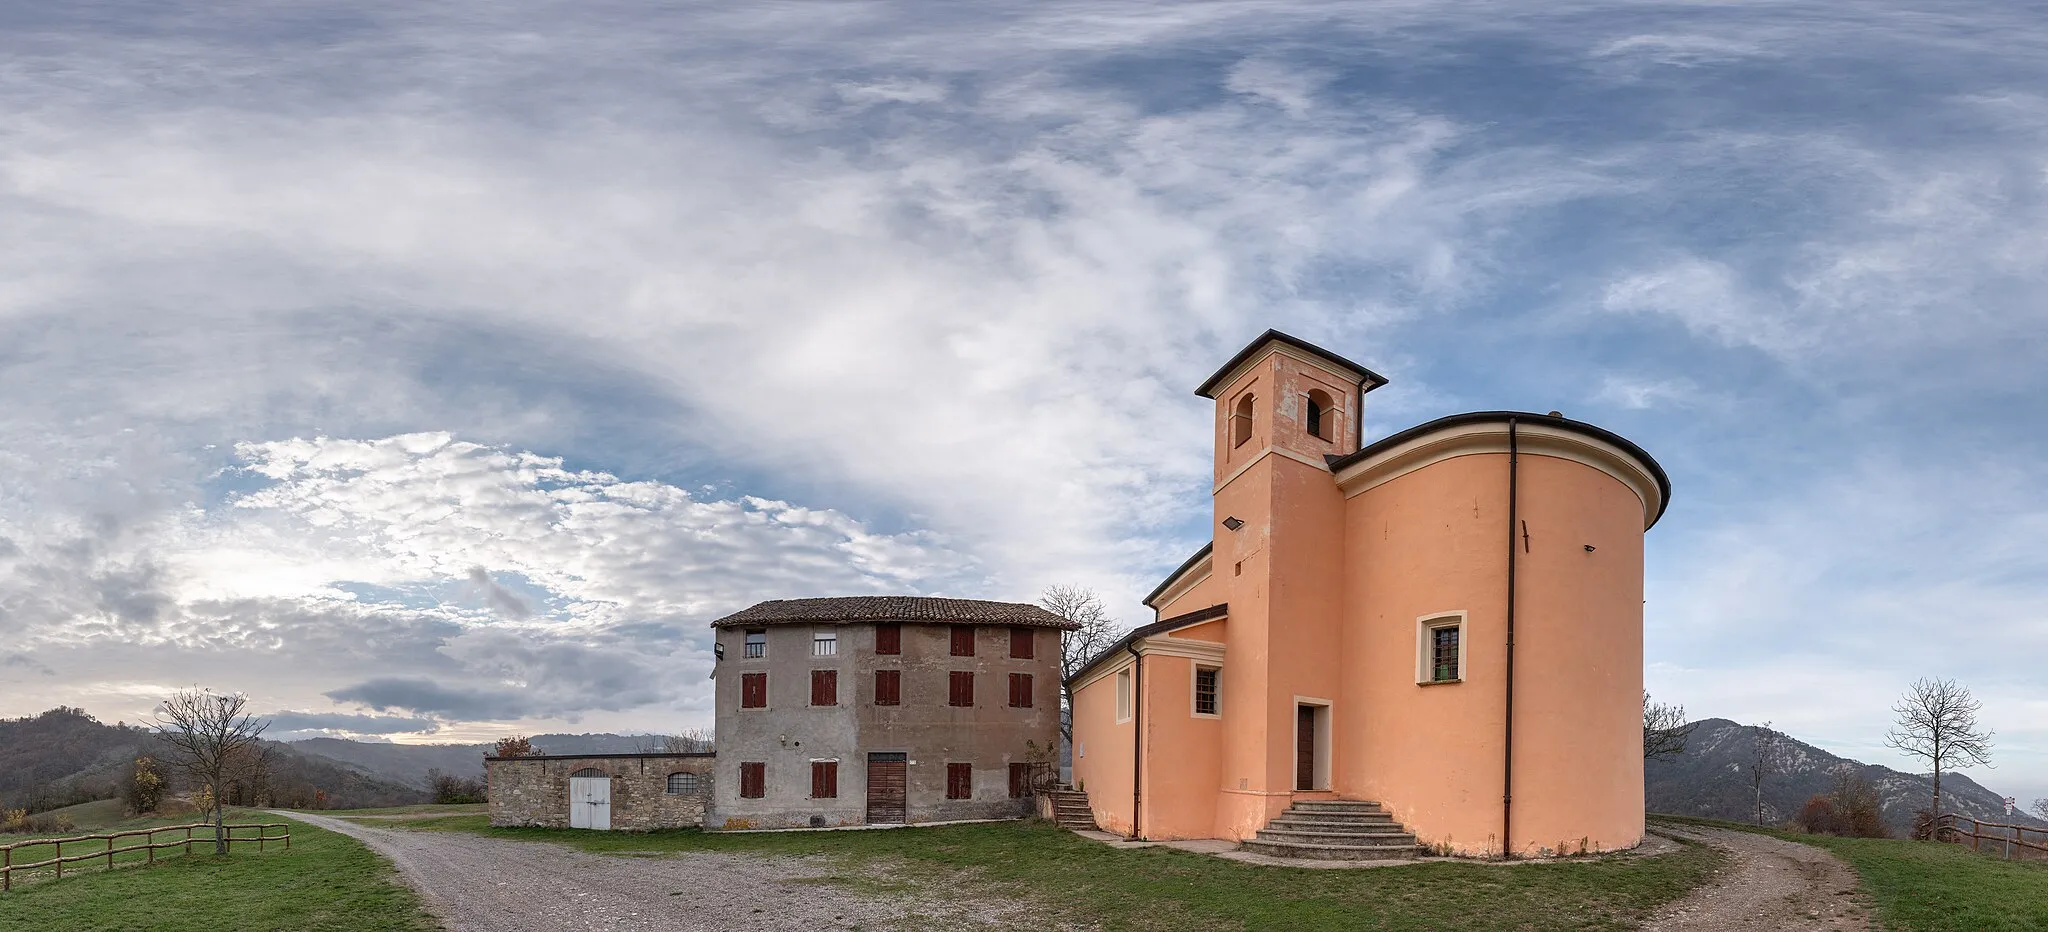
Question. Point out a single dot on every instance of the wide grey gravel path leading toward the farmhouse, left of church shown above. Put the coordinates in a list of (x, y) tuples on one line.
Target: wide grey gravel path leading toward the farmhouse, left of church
[(478, 884)]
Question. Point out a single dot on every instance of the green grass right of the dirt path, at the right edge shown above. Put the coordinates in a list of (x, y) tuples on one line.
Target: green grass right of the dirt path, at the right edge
[(1932, 886)]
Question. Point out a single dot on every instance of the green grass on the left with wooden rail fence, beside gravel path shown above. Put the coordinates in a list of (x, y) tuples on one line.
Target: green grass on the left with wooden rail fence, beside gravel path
[(325, 882)]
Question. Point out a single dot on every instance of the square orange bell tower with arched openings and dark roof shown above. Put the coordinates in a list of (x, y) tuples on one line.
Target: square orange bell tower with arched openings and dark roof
[(1285, 409)]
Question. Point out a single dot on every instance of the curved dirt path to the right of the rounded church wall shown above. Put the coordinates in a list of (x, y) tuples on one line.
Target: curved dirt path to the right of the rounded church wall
[(1768, 886)]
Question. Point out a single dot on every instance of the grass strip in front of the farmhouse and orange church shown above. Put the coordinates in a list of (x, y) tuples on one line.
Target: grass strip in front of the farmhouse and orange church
[(1162, 888)]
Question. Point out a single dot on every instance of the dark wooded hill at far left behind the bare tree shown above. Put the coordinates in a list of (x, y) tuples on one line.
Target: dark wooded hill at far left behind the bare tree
[(67, 757)]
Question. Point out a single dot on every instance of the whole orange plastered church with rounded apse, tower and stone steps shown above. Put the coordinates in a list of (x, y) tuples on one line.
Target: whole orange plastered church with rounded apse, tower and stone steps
[(1431, 638)]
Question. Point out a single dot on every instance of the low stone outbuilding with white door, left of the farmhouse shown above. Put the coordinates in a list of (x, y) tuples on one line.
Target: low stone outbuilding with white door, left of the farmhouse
[(601, 792)]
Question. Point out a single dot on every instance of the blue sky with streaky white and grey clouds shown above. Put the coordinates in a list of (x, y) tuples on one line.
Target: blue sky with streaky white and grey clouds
[(439, 372)]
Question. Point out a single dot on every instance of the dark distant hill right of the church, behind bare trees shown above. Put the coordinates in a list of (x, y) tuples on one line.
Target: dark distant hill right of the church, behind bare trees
[(1713, 779)]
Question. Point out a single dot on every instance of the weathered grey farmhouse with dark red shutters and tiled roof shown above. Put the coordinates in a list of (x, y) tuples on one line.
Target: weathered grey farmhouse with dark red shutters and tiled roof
[(884, 710)]
